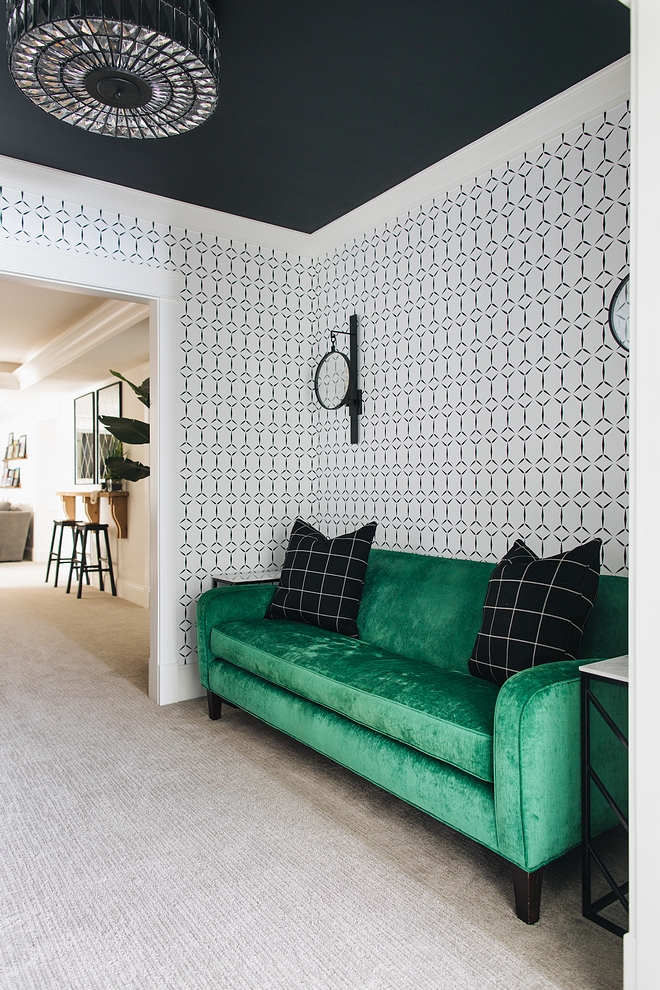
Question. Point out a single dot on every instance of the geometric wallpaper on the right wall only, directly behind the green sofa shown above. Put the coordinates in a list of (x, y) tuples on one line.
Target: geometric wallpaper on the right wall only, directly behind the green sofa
[(494, 396)]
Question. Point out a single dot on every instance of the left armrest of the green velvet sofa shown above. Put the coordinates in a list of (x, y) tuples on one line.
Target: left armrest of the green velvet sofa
[(220, 605)]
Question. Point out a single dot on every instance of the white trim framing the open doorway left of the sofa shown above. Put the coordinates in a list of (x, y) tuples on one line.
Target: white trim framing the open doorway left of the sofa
[(161, 290)]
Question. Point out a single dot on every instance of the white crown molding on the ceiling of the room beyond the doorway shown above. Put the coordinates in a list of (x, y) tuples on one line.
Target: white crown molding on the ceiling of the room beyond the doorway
[(106, 321)]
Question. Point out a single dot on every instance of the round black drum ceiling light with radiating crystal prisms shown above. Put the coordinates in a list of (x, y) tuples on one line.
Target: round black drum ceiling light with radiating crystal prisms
[(126, 68)]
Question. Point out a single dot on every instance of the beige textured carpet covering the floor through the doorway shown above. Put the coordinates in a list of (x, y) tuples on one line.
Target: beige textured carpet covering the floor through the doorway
[(150, 848)]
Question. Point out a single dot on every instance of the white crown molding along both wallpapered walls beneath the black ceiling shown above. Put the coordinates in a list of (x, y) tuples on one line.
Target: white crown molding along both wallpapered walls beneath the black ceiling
[(599, 92)]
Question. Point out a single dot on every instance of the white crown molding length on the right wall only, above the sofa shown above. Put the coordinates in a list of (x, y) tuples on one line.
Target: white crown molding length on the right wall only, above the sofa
[(596, 93)]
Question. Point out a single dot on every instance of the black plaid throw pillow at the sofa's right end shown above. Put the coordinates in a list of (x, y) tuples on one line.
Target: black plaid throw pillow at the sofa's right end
[(535, 610)]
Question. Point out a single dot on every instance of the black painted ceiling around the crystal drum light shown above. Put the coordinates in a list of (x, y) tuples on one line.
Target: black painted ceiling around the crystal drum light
[(324, 104)]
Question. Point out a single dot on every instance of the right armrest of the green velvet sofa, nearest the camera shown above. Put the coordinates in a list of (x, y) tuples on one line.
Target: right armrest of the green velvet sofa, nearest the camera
[(536, 761)]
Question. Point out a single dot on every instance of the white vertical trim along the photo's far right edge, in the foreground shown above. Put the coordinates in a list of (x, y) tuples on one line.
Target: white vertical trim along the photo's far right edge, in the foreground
[(641, 946)]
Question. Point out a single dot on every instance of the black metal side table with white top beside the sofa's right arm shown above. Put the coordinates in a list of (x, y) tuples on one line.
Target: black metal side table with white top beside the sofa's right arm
[(614, 671)]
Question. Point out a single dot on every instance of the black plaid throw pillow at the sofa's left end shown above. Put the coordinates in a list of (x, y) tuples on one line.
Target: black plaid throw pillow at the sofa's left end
[(322, 580)]
